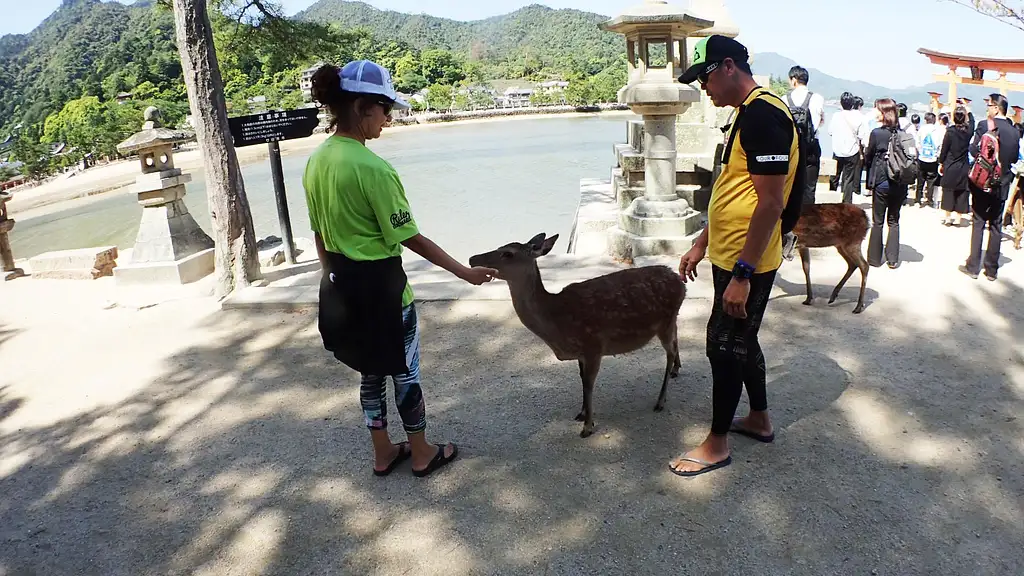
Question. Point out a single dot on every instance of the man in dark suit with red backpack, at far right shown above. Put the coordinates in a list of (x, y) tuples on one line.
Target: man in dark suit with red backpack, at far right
[(989, 204)]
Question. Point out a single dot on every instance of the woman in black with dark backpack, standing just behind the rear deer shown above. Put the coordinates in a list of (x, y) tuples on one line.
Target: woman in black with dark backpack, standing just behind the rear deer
[(888, 195)]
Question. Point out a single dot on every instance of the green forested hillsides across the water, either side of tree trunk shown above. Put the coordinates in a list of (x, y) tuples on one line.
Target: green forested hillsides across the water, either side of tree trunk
[(64, 81)]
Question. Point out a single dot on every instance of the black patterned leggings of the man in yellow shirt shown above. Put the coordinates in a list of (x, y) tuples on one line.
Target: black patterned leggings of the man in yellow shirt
[(735, 352)]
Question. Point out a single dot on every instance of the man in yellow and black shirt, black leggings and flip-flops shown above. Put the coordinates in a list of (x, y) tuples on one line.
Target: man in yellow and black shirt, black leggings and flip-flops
[(744, 242)]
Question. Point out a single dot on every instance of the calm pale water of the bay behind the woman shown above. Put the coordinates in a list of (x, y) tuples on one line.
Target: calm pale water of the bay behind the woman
[(473, 187)]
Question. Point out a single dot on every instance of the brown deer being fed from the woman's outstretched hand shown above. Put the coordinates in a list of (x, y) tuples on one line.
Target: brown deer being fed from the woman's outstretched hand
[(615, 314)]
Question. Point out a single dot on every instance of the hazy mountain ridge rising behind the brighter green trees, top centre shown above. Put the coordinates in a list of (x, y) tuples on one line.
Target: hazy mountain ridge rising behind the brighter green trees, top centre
[(544, 32)]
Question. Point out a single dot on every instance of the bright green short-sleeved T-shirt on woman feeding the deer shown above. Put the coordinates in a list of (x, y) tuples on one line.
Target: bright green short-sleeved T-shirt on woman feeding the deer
[(357, 203)]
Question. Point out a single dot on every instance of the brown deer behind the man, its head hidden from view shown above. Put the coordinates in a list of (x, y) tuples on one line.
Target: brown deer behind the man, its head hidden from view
[(842, 226)]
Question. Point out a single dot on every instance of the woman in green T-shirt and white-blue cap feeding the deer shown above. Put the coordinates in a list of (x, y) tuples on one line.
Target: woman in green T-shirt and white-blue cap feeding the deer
[(361, 221)]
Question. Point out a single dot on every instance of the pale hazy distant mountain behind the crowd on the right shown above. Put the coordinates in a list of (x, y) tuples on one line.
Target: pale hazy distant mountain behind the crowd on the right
[(771, 64)]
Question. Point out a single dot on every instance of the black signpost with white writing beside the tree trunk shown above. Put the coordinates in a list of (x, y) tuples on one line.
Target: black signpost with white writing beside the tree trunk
[(271, 129)]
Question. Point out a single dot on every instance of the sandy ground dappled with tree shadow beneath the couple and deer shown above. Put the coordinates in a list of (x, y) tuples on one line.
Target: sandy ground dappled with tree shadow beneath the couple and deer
[(899, 451)]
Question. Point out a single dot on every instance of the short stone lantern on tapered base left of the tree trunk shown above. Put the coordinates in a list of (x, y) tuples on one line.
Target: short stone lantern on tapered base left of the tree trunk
[(170, 249)]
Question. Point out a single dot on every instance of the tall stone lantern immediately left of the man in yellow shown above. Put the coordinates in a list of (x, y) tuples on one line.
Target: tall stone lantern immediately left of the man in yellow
[(660, 222)]
